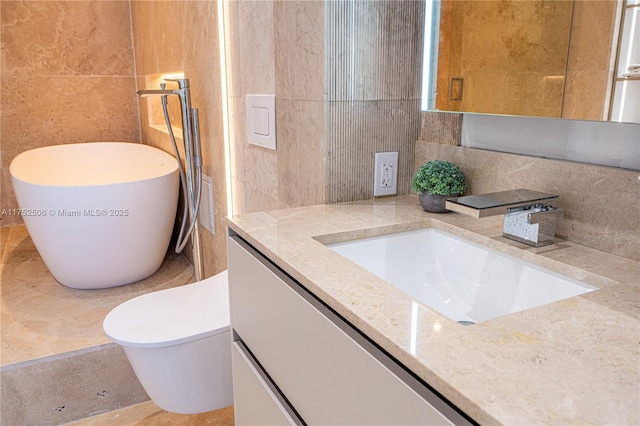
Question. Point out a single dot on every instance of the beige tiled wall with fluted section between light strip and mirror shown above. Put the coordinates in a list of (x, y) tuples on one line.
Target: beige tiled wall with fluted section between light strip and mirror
[(335, 108)]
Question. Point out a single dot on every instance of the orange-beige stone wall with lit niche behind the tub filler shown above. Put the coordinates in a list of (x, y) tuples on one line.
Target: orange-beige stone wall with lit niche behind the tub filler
[(182, 36)]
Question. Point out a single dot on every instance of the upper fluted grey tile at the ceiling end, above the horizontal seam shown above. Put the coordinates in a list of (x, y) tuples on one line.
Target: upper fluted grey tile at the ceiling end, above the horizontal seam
[(373, 49)]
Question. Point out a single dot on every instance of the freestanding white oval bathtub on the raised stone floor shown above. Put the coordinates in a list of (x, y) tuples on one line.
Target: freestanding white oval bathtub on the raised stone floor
[(100, 214)]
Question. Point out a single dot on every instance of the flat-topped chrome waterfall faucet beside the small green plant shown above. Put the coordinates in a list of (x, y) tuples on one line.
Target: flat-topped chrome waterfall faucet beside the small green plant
[(530, 217)]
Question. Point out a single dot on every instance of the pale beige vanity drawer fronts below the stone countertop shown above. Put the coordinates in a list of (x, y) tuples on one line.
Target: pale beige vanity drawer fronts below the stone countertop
[(296, 361)]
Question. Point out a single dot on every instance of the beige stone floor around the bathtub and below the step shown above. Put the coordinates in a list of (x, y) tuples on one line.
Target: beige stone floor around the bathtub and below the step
[(42, 318)]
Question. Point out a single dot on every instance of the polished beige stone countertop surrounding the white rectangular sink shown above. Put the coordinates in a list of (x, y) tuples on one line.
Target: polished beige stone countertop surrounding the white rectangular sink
[(575, 361)]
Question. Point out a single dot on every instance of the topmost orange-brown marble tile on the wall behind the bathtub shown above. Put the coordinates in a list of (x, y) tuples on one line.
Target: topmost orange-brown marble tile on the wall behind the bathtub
[(66, 38)]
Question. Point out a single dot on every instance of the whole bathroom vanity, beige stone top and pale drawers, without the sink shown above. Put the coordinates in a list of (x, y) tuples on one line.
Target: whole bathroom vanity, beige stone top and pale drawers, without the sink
[(321, 340)]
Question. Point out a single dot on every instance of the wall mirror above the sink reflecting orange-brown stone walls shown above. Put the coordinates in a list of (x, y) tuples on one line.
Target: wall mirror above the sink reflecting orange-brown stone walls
[(543, 58)]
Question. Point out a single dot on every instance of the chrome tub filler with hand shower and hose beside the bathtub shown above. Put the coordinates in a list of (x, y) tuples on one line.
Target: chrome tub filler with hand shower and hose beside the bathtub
[(191, 175)]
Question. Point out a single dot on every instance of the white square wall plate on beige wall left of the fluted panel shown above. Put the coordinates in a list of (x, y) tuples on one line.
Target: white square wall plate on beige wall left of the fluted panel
[(261, 120)]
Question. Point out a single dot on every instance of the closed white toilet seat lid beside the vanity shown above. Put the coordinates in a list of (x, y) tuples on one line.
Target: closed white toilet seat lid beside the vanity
[(172, 316)]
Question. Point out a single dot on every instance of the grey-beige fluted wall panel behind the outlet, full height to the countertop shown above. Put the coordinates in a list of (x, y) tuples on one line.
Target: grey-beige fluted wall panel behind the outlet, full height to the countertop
[(373, 57)]
